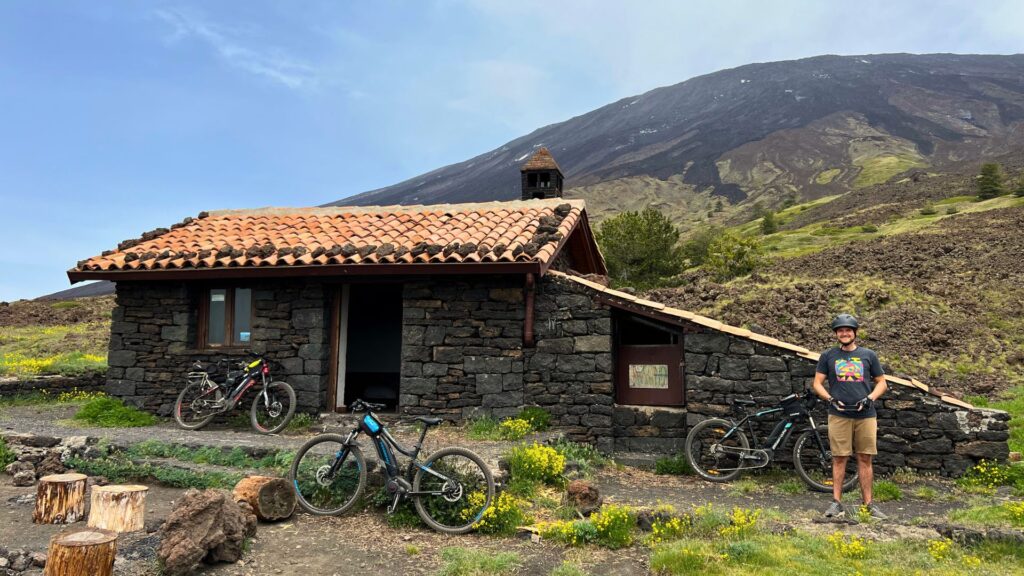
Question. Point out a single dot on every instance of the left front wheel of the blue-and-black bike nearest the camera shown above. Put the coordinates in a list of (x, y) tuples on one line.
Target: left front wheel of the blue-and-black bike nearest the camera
[(320, 490)]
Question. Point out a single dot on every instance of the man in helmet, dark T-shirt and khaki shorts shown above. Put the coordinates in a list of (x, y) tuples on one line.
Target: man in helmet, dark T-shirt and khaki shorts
[(856, 382)]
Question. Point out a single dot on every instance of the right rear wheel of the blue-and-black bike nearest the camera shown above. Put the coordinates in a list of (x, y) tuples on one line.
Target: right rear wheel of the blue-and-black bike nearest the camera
[(463, 486)]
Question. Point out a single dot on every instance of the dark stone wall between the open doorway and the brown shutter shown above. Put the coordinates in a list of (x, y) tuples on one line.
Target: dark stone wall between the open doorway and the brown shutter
[(463, 354)]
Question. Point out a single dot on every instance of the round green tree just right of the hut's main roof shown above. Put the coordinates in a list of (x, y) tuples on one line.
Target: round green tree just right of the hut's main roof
[(641, 249)]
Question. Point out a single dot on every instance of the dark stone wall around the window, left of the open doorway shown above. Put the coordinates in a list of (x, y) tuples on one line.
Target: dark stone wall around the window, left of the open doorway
[(154, 337)]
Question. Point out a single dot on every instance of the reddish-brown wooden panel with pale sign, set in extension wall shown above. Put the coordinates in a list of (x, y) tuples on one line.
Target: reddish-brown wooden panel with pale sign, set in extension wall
[(651, 375)]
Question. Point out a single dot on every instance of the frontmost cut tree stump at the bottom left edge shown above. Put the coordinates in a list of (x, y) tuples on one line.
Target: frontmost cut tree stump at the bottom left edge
[(84, 553)]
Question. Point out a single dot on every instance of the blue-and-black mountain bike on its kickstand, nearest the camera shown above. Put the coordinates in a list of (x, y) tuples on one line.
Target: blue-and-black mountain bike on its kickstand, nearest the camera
[(451, 489)]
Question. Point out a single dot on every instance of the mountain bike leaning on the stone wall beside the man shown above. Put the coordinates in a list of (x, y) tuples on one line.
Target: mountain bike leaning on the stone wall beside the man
[(718, 450)]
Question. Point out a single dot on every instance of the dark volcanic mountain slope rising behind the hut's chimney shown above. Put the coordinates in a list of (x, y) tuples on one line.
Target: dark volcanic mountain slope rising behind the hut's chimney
[(807, 129)]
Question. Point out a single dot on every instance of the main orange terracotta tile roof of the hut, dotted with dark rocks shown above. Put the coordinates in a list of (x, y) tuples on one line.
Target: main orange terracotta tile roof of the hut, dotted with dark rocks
[(532, 231)]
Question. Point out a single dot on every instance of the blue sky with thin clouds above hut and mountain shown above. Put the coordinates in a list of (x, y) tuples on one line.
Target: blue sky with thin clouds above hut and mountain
[(122, 117)]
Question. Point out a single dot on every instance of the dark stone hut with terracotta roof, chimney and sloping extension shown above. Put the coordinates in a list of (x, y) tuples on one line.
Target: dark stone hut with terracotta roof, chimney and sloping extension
[(462, 310)]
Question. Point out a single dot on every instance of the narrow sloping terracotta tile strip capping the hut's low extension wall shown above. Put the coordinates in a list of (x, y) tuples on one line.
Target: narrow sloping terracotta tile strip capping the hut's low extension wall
[(671, 313)]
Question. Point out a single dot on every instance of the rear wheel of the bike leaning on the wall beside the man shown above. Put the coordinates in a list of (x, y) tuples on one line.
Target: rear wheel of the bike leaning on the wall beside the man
[(705, 450)]
